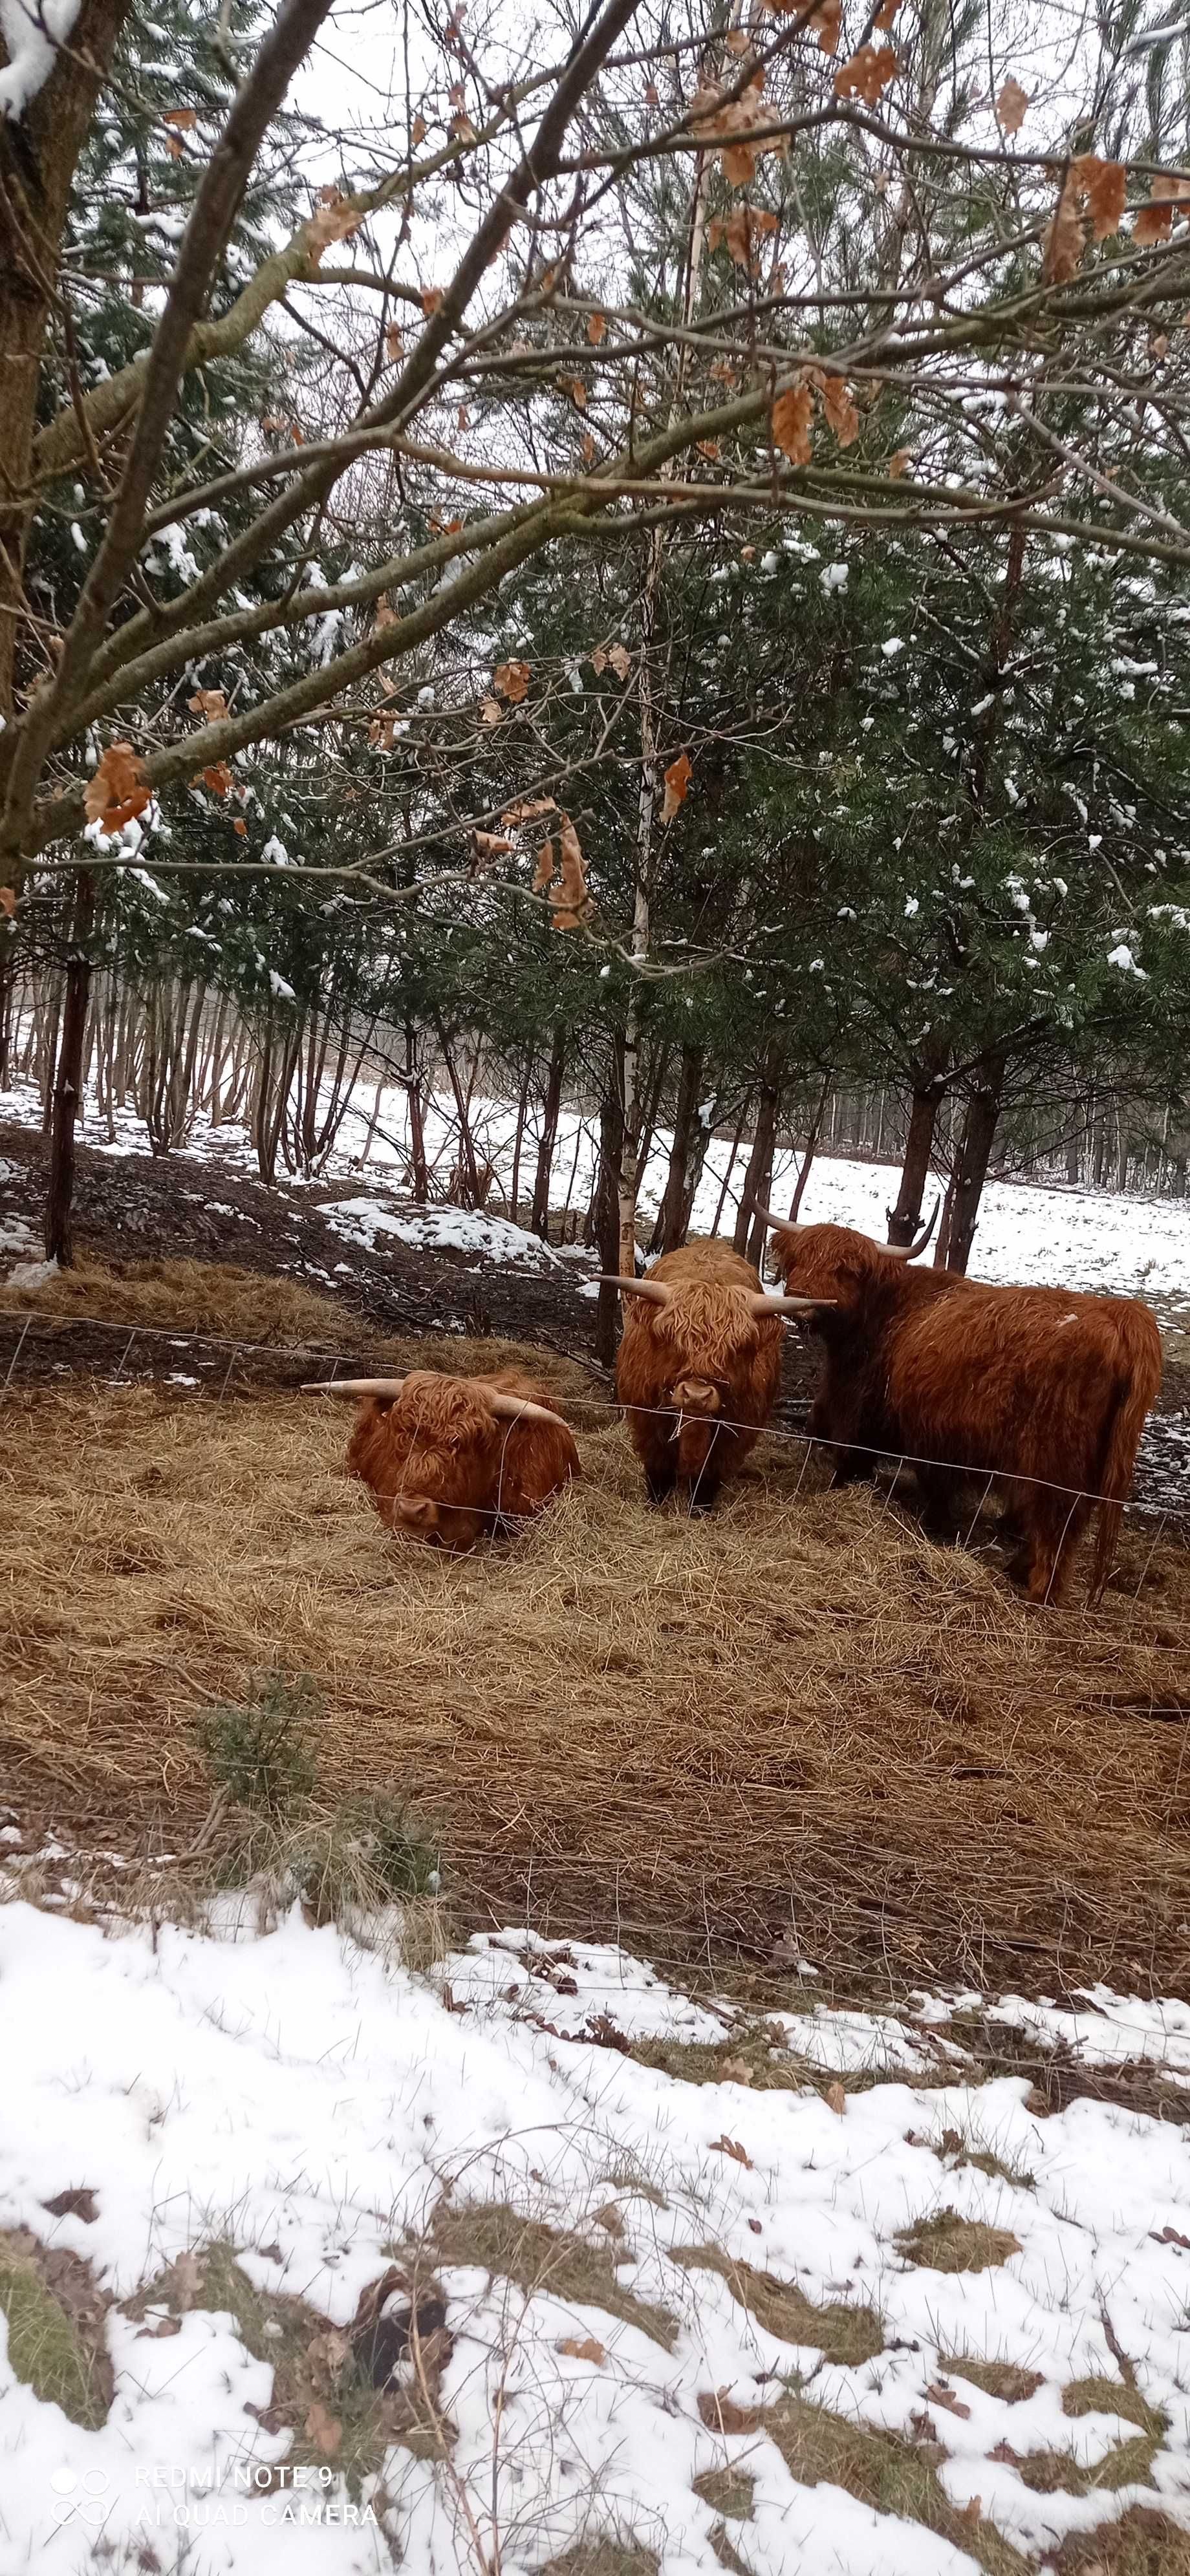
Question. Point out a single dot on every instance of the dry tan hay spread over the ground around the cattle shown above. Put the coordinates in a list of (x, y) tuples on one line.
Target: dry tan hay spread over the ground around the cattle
[(795, 1719)]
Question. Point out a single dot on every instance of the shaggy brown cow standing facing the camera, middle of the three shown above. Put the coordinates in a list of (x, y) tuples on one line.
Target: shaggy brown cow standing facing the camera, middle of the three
[(699, 1367)]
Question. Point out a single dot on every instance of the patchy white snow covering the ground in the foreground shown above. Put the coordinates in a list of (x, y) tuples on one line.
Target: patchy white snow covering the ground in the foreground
[(310, 2103)]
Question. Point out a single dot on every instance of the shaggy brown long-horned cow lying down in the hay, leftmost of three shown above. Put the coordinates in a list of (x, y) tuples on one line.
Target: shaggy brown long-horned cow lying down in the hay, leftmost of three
[(457, 1459)]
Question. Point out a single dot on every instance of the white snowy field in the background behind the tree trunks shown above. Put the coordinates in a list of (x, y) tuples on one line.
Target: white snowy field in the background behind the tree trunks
[(1062, 1238)]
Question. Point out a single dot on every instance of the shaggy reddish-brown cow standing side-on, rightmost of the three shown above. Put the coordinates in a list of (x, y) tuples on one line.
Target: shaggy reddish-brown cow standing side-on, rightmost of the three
[(1042, 1390)]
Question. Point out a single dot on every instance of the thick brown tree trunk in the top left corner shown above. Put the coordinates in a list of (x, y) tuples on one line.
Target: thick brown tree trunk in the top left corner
[(37, 169)]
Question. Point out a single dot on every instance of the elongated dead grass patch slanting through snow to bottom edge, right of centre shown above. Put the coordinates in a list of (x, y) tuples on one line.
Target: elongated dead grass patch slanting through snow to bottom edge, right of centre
[(823, 2448)]
